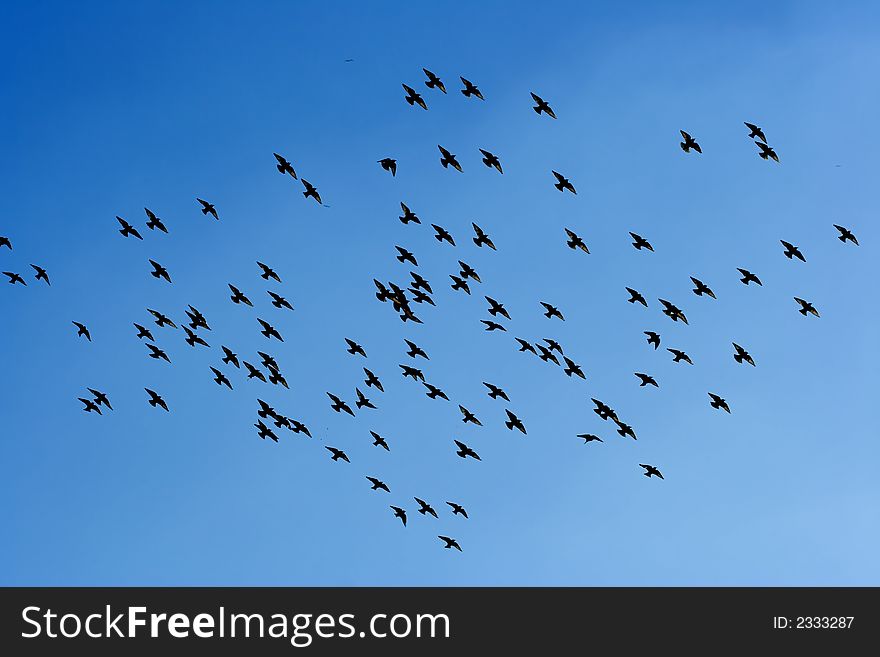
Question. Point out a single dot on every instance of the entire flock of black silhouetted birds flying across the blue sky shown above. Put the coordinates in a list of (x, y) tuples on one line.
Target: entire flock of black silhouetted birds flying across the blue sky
[(402, 297)]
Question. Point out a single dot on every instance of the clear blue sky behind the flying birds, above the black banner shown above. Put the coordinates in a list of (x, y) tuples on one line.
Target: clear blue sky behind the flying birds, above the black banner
[(110, 107)]
